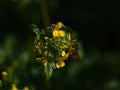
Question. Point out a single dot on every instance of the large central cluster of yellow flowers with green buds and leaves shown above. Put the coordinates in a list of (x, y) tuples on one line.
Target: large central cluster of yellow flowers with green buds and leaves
[(53, 46)]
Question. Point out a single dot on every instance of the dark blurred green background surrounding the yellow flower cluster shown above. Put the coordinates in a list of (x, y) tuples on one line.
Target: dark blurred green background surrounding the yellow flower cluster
[(97, 25)]
